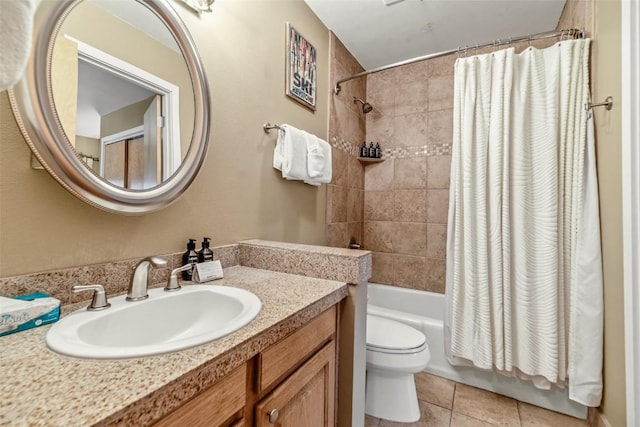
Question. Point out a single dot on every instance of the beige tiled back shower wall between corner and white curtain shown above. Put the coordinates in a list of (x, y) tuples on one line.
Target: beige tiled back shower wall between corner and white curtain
[(406, 196)]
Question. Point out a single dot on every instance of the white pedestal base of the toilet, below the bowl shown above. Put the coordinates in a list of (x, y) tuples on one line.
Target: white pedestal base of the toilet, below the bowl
[(391, 396)]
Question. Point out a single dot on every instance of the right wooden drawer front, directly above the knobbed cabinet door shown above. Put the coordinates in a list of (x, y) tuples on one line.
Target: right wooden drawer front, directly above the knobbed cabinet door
[(283, 356)]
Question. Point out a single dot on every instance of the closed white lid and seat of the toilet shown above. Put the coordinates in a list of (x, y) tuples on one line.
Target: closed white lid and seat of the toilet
[(388, 335)]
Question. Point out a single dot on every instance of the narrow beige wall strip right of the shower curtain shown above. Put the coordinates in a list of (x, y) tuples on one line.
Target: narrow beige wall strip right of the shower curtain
[(606, 70)]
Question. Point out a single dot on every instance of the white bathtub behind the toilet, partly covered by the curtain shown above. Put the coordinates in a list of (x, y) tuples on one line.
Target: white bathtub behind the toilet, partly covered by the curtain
[(425, 312)]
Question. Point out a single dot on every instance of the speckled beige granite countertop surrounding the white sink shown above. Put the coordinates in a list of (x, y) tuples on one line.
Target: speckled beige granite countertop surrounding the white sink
[(40, 388)]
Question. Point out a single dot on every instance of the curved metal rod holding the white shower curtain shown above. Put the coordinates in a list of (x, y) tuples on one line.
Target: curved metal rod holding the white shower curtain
[(569, 33)]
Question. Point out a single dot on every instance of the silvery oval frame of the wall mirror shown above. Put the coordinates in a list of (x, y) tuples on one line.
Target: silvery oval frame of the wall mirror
[(33, 107)]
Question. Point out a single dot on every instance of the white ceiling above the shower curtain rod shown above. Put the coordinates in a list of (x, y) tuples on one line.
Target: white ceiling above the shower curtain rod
[(377, 34)]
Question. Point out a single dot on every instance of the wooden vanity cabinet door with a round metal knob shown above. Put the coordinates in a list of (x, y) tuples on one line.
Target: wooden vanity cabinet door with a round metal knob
[(306, 398)]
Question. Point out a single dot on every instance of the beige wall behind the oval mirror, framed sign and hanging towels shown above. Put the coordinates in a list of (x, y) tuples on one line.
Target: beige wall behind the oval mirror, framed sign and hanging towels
[(237, 194)]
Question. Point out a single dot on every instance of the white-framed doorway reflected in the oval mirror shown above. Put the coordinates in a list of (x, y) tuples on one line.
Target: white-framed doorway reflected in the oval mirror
[(113, 98)]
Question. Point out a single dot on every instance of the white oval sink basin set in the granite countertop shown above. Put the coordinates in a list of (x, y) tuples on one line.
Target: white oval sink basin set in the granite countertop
[(162, 323)]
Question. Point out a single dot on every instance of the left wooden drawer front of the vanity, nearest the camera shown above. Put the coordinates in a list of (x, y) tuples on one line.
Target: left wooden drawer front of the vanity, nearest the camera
[(213, 406)]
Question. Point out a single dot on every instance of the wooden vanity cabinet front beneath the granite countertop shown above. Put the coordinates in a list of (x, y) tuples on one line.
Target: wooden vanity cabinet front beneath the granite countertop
[(292, 383)]
